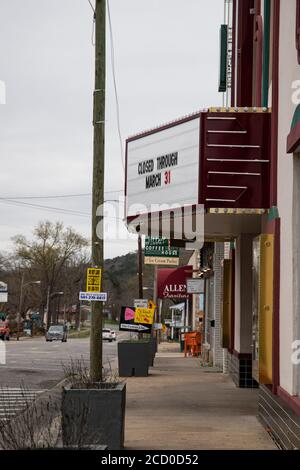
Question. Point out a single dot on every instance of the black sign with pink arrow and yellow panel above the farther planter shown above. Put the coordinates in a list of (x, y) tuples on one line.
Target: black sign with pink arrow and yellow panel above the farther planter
[(138, 320)]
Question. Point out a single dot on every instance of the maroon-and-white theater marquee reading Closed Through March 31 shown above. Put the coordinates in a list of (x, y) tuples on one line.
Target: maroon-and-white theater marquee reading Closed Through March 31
[(218, 159)]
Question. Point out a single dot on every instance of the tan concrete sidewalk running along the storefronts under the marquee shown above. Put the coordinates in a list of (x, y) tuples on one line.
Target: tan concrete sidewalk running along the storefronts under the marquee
[(182, 406)]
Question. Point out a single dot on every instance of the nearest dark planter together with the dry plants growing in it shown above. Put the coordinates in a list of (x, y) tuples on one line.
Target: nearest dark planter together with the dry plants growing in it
[(100, 404)]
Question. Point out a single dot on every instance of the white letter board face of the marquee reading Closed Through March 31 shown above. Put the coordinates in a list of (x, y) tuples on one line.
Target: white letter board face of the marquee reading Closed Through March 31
[(163, 168)]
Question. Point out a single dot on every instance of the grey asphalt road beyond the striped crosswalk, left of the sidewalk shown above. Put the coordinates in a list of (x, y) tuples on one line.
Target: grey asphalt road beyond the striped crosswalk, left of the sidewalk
[(38, 364)]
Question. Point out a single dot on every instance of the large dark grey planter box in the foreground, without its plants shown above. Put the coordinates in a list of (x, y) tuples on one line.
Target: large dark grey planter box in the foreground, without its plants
[(94, 416)]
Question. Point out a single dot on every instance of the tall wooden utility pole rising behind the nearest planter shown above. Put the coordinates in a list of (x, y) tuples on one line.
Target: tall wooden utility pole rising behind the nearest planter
[(98, 183)]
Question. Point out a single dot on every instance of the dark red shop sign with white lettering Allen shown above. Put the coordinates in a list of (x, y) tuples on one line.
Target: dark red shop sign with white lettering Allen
[(171, 283)]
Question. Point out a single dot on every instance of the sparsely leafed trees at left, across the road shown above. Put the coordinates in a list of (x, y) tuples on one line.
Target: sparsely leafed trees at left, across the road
[(57, 257)]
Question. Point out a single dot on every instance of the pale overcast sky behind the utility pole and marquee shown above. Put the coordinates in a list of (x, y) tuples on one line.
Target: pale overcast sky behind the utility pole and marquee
[(166, 61)]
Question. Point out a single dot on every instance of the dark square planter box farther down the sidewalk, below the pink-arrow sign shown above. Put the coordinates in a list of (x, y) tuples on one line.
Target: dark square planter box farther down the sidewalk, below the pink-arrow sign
[(134, 358)]
